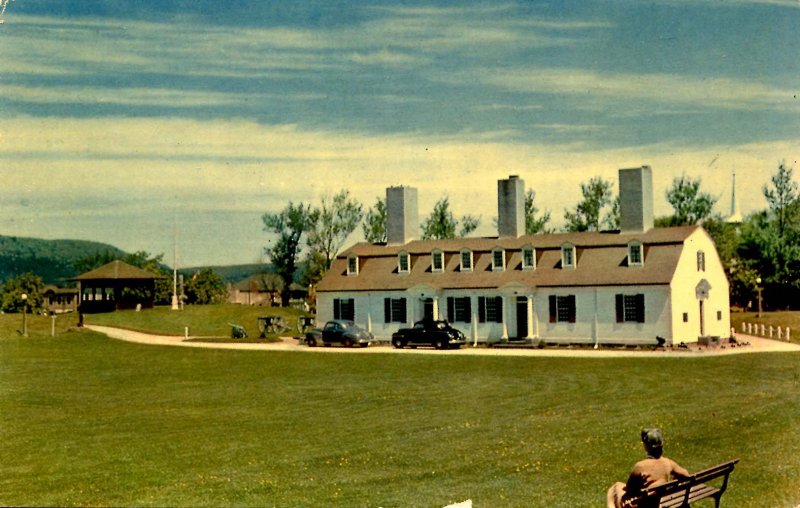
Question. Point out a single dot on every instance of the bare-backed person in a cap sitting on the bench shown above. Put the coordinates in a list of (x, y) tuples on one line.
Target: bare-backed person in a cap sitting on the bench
[(650, 472)]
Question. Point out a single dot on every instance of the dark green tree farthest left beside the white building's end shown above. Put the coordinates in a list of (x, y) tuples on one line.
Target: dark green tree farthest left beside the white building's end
[(289, 225)]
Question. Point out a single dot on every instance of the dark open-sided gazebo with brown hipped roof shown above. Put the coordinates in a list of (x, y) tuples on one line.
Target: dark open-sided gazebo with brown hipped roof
[(115, 286)]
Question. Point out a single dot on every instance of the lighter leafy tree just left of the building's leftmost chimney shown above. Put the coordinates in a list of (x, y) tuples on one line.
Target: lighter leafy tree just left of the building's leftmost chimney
[(329, 225)]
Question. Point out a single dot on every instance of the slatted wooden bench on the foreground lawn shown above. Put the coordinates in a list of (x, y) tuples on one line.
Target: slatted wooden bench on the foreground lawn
[(682, 493)]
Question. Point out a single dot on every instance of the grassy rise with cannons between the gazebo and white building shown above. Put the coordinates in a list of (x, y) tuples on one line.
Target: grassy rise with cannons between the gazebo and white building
[(202, 320)]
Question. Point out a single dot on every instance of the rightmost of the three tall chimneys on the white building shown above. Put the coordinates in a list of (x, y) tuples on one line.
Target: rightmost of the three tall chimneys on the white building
[(636, 199)]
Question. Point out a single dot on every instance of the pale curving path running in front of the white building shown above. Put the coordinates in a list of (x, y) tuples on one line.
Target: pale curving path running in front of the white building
[(757, 345)]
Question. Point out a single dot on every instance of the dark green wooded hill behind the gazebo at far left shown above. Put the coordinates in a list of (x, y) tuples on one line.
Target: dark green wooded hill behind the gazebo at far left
[(52, 260)]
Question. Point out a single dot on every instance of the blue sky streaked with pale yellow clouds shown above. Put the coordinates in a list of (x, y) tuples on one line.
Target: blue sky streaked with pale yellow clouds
[(138, 123)]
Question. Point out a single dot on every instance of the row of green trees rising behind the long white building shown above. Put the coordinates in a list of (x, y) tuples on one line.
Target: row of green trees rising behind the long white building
[(760, 252)]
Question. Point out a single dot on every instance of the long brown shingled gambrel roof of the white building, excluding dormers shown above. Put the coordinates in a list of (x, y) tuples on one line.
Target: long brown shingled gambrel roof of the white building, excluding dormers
[(601, 261)]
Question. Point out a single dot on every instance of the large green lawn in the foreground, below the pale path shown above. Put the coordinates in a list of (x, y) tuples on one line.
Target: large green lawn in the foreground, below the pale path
[(87, 420)]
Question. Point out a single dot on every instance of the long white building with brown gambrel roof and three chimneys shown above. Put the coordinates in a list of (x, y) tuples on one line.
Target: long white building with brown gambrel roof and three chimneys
[(625, 287)]
